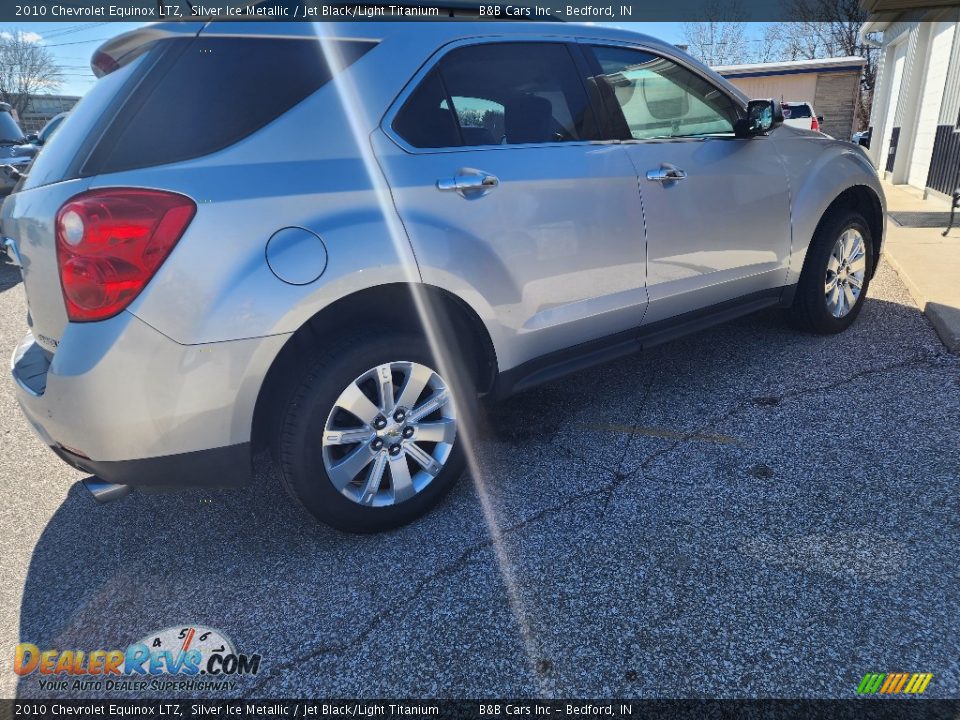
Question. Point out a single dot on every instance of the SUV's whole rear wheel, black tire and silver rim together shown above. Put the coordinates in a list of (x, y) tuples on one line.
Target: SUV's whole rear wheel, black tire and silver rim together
[(369, 440)]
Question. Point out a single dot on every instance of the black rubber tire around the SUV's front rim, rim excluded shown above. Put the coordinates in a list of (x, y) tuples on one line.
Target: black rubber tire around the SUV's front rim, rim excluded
[(809, 310)]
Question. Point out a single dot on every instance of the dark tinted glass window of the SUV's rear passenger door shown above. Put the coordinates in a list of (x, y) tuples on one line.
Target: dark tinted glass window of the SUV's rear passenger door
[(499, 94)]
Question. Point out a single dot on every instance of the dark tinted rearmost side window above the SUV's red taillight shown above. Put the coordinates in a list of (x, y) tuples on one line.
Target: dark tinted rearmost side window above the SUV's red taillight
[(207, 93)]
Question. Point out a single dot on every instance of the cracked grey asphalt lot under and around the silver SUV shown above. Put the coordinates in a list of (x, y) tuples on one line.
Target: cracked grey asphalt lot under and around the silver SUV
[(748, 512)]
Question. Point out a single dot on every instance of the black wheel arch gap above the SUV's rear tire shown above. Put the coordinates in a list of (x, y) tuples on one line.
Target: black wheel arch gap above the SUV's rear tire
[(394, 304)]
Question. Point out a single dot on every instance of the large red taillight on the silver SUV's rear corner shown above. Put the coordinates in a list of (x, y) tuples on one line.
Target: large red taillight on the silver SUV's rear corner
[(111, 242)]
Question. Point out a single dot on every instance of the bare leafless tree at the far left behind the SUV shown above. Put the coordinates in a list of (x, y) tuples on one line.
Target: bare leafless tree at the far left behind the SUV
[(26, 68)]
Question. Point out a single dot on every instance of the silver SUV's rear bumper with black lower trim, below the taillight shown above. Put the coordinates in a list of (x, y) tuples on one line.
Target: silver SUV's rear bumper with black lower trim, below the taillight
[(122, 401)]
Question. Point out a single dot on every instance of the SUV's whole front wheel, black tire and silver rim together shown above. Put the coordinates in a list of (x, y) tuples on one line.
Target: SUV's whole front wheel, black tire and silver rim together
[(833, 285)]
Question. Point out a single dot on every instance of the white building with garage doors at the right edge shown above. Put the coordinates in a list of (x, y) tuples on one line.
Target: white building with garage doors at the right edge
[(915, 120)]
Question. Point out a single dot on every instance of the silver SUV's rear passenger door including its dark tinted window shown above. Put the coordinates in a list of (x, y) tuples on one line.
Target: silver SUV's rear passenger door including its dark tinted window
[(510, 201)]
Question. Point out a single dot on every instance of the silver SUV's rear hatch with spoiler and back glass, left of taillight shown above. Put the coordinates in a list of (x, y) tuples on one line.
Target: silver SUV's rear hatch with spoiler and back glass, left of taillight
[(57, 174)]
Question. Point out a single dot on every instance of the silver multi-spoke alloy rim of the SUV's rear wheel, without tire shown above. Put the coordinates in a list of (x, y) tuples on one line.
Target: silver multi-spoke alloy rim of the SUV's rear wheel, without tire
[(389, 434)]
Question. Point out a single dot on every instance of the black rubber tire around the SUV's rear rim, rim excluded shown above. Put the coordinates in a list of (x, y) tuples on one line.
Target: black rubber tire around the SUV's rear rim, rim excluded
[(298, 444)]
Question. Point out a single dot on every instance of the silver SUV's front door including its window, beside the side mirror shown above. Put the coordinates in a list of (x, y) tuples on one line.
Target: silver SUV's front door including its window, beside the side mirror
[(716, 207)]
